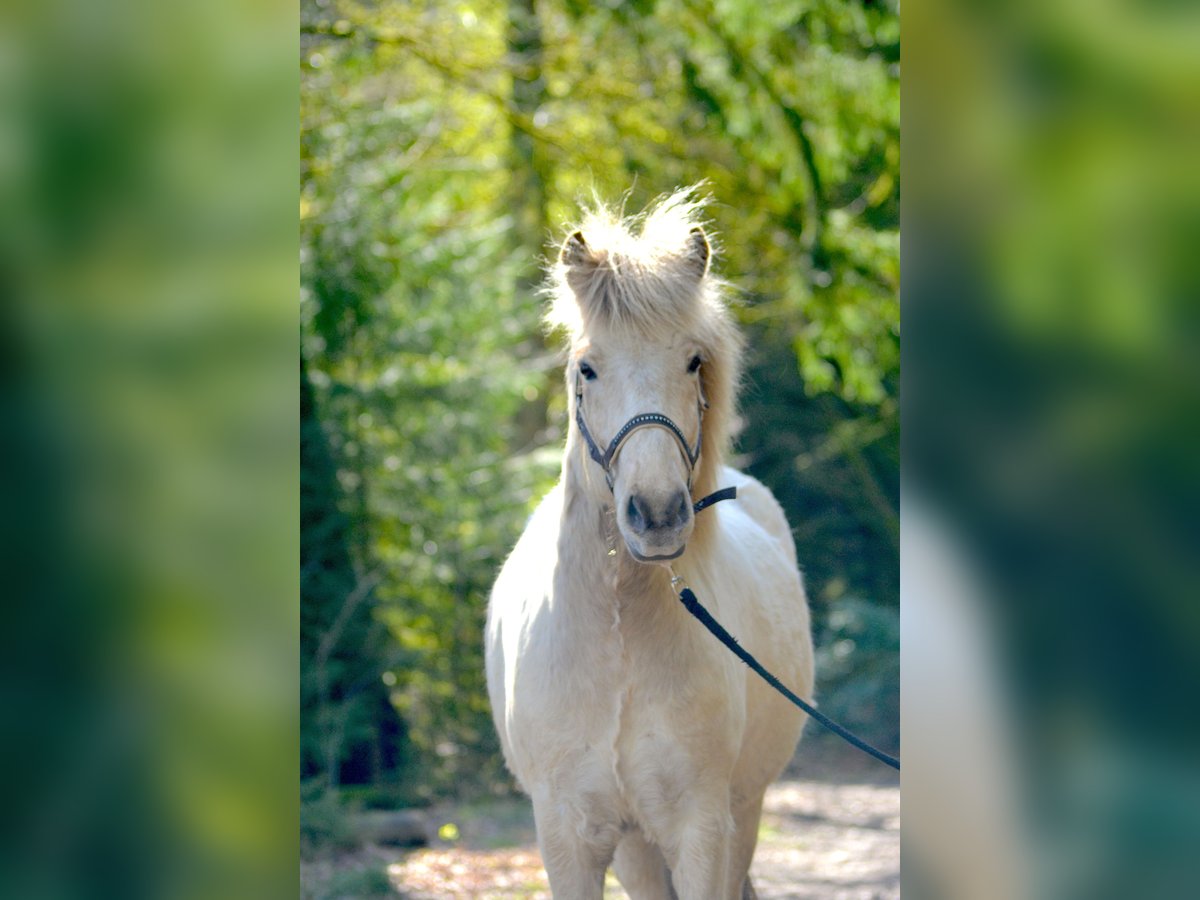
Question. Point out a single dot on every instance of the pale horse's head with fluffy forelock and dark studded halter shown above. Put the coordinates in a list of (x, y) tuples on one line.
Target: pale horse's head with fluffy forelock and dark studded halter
[(652, 350)]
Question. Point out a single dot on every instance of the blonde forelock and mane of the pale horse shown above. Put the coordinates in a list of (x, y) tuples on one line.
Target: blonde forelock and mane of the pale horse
[(651, 274)]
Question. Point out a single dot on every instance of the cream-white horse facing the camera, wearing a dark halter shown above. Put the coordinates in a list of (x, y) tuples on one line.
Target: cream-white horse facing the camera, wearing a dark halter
[(643, 742)]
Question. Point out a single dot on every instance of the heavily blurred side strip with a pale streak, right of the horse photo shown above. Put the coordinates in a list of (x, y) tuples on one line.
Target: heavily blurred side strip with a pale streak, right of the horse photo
[(1052, 452)]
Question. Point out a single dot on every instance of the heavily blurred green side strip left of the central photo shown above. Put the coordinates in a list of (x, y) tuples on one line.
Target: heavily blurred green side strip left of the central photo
[(148, 451)]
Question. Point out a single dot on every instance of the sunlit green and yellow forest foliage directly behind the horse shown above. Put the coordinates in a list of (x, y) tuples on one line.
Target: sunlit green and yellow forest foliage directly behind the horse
[(443, 147)]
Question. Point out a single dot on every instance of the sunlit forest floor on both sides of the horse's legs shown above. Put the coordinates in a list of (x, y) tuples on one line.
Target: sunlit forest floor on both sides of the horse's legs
[(831, 829)]
